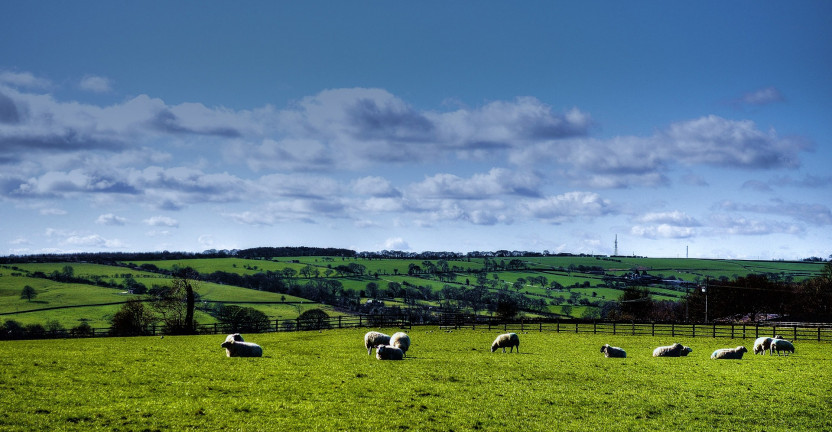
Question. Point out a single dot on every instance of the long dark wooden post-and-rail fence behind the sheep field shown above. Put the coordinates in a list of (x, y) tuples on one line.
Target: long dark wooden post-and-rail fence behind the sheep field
[(821, 332)]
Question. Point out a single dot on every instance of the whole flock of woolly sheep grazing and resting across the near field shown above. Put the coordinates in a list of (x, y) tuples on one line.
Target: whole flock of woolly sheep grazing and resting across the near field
[(395, 347)]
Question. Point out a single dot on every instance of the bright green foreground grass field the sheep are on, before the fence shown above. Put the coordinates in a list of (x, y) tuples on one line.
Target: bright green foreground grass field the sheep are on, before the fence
[(450, 381)]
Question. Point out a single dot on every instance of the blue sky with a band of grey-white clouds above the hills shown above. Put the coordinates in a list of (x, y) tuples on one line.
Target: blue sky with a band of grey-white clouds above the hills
[(697, 129)]
